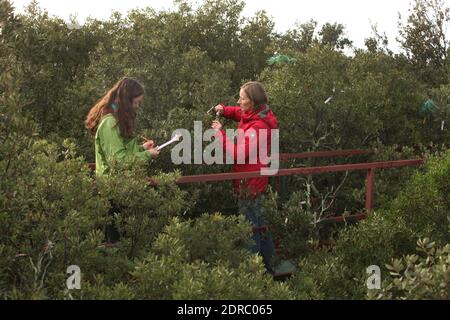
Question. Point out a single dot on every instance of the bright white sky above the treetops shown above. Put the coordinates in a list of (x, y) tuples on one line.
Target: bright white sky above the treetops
[(356, 15)]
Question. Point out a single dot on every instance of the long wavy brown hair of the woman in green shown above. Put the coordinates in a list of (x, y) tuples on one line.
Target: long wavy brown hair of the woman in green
[(122, 95)]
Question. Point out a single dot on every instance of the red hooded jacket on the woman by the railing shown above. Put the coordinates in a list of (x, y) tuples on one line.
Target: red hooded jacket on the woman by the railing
[(247, 144)]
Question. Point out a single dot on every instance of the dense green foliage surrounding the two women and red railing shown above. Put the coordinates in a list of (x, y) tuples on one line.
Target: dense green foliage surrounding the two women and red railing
[(51, 216)]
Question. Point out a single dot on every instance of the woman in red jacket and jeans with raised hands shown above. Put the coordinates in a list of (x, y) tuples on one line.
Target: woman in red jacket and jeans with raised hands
[(250, 153)]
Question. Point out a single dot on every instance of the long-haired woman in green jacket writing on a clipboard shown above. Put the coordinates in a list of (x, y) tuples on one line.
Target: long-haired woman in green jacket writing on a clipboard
[(112, 121)]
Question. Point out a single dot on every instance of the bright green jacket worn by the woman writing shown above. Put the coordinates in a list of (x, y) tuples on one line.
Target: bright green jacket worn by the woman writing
[(110, 145)]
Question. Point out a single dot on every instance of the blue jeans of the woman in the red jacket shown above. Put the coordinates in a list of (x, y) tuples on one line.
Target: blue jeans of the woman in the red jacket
[(263, 243)]
